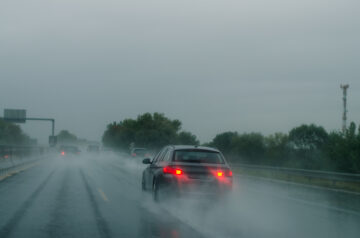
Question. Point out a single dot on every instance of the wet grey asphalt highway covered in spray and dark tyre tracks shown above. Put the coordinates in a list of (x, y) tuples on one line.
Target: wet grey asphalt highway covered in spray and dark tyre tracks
[(100, 196)]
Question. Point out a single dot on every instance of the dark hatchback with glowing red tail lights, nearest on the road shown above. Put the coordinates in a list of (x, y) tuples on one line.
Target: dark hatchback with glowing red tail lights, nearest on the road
[(187, 170)]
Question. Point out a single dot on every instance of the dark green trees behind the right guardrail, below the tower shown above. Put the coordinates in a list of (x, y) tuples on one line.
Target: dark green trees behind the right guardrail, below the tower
[(305, 147)]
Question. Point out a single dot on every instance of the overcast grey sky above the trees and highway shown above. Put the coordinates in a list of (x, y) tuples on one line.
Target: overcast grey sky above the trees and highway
[(216, 65)]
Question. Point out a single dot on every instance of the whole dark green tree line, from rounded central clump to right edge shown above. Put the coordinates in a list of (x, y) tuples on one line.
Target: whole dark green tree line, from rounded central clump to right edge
[(305, 146)]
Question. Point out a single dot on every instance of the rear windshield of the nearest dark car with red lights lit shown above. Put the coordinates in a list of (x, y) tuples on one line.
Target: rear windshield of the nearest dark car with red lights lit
[(198, 156)]
